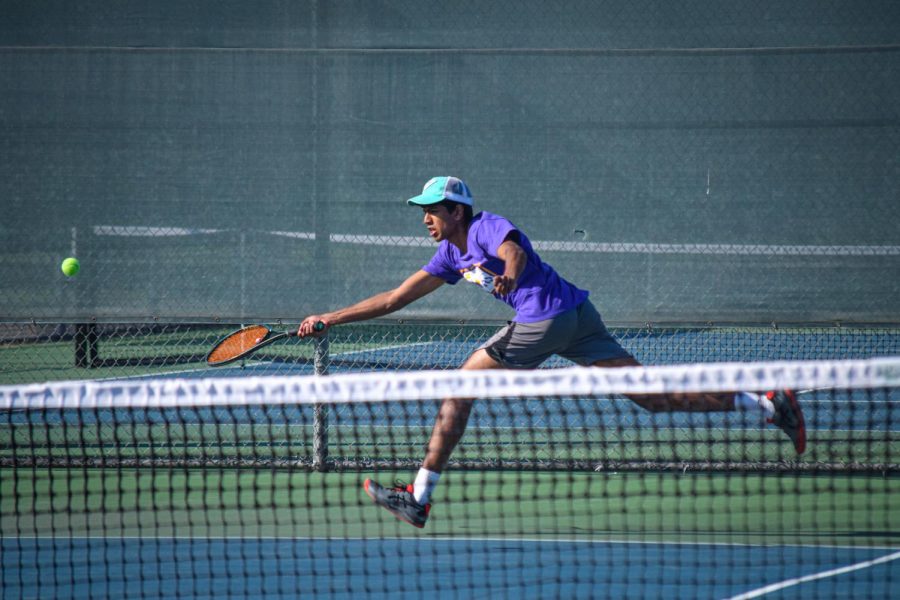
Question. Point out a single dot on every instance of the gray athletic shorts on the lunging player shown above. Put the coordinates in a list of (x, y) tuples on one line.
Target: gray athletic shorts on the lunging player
[(578, 335)]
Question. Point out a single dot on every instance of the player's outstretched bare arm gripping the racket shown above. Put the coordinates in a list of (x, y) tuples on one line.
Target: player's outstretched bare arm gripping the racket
[(416, 285)]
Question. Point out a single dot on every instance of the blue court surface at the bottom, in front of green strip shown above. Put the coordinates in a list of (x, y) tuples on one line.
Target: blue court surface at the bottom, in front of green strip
[(408, 568)]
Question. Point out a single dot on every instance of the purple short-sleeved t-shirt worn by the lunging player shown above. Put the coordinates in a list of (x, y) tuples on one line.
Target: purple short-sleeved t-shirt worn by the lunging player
[(541, 293)]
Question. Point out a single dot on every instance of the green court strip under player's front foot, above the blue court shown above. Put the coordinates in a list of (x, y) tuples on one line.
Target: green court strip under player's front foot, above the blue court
[(664, 508)]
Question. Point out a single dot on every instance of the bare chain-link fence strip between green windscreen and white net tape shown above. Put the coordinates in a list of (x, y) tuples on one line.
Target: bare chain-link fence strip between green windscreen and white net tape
[(41, 352)]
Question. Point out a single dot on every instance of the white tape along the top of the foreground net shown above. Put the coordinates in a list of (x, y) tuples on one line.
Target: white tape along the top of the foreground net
[(436, 385)]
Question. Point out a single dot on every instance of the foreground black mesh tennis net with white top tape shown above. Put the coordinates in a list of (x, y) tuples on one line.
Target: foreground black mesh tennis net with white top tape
[(560, 487)]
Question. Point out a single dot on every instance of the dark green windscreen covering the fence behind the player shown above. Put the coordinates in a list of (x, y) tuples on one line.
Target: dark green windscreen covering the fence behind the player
[(687, 163)]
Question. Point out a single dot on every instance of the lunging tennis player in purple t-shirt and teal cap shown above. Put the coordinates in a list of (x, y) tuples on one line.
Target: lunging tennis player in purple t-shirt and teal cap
[(553, 316)]
